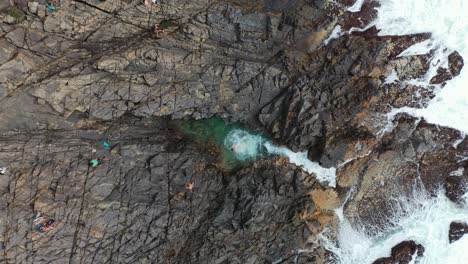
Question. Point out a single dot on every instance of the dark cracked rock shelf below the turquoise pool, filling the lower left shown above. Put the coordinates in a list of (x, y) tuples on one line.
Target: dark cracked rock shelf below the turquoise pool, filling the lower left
[(139, 201)]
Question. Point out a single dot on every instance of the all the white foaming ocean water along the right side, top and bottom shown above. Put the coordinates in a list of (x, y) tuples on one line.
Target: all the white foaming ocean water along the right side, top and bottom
[(422, 218)]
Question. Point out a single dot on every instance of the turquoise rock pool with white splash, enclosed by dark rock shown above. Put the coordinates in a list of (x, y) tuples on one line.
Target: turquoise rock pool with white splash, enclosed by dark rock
[(234, 145)]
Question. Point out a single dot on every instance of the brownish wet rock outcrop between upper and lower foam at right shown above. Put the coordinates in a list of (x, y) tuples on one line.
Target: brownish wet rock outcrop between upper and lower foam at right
[(410, 153)]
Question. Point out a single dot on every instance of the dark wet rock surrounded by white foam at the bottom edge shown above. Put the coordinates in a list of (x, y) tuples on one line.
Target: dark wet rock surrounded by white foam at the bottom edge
[(403, 253)]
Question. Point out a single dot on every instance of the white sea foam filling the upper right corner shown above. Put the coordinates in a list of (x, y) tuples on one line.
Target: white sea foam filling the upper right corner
[(448, 23)]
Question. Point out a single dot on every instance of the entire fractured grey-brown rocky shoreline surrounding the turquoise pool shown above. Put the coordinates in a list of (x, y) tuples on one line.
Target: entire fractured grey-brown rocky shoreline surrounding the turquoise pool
[(93, 70)]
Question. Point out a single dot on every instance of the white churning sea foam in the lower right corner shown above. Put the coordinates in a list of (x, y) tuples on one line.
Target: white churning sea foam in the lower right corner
[(421, 218)]
